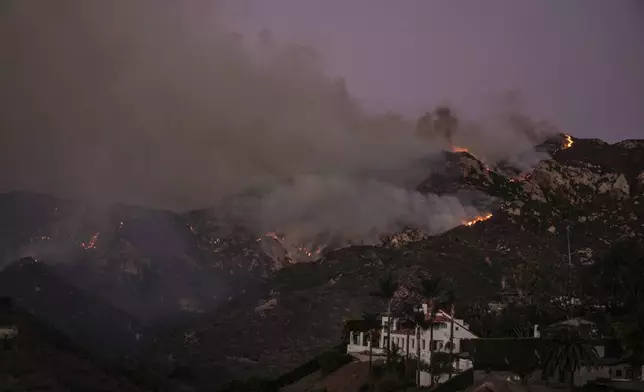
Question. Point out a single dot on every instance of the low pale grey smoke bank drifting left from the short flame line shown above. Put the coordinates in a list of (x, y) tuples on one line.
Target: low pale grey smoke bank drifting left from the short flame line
[(349, 209)]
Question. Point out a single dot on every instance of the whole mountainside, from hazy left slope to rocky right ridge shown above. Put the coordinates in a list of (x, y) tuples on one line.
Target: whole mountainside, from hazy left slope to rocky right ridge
[(240, 312)]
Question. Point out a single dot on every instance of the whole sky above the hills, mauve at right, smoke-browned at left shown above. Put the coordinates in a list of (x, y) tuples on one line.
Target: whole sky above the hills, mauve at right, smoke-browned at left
[(128, 100)]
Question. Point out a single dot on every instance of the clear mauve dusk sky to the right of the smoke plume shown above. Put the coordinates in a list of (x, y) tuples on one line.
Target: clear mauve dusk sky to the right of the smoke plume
[(579, 63)]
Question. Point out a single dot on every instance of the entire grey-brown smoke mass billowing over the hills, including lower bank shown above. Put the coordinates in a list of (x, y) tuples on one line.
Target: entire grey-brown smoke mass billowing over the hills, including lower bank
[(156, 103)]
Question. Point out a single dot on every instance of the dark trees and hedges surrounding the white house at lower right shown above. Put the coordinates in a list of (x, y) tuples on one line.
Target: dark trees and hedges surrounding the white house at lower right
[(608, 293)]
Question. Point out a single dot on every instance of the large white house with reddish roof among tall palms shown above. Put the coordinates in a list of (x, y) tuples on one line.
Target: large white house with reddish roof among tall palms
[(359, 346)]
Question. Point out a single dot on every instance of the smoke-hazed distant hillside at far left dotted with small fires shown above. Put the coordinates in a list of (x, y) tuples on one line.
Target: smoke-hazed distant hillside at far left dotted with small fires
[(150, 263)]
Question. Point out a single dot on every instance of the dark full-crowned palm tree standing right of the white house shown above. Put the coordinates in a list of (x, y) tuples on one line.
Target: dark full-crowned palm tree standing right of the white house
[(566, 353)]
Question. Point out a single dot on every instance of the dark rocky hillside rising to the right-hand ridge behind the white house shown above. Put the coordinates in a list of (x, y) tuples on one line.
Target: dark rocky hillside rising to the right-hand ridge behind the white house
[(591, 186)]
